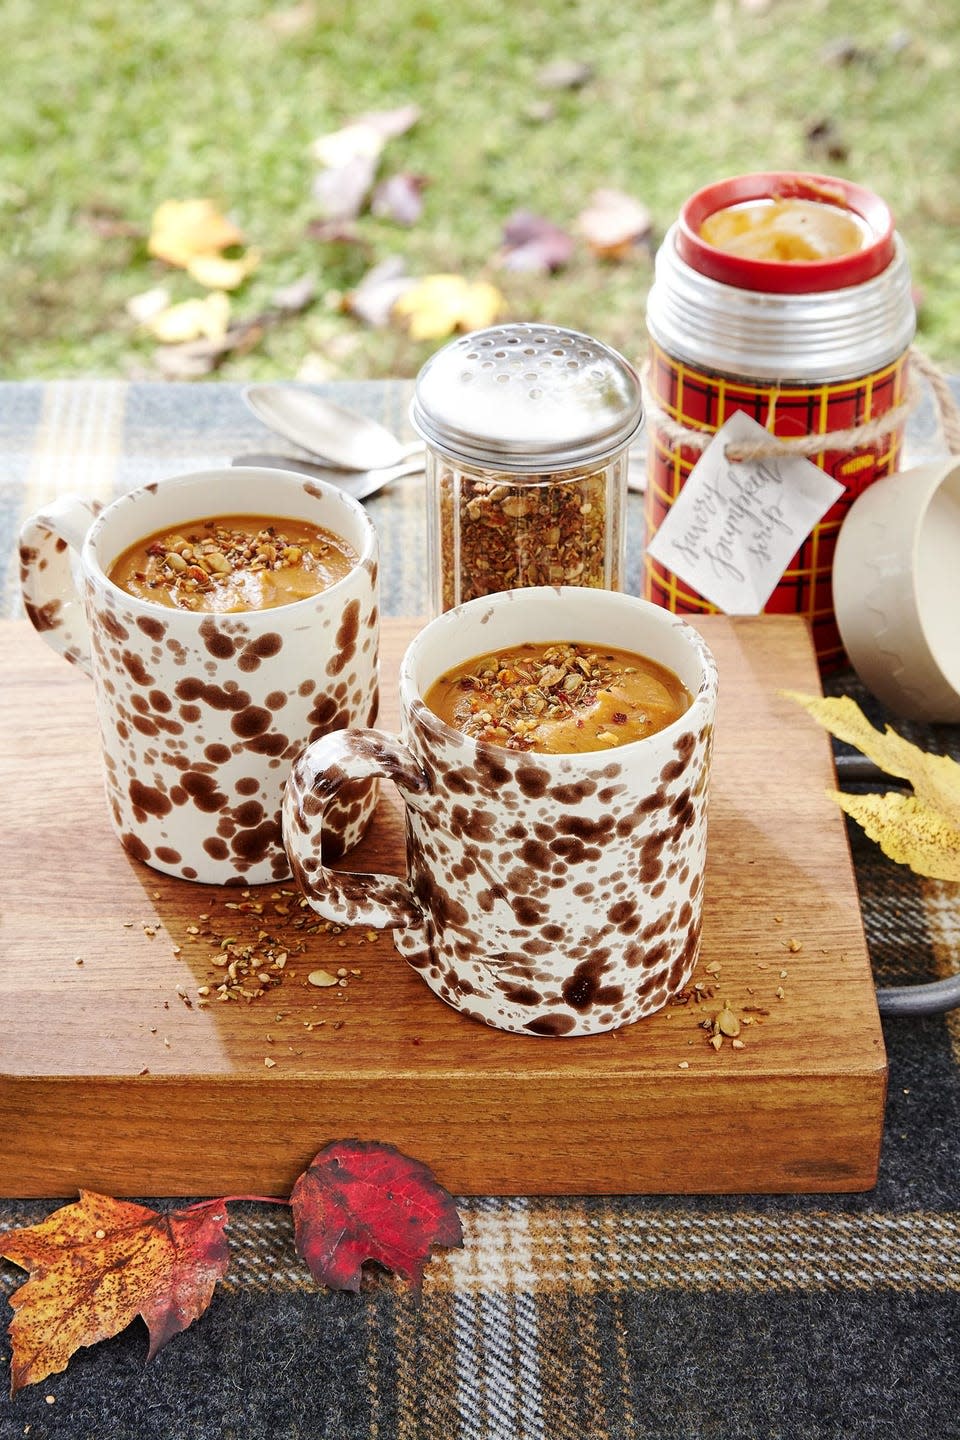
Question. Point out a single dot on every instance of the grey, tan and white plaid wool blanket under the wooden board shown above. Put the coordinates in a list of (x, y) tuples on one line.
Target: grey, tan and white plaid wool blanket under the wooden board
[(610, 1318)]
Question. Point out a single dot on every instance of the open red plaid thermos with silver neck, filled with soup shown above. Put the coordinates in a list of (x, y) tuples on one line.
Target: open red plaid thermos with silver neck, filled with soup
[(788, 297)]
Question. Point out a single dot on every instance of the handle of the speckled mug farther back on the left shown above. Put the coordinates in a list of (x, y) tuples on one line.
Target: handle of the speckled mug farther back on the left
[(51, 595)]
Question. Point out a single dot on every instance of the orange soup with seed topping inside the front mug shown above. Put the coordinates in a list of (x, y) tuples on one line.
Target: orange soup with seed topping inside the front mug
[(559, 698)]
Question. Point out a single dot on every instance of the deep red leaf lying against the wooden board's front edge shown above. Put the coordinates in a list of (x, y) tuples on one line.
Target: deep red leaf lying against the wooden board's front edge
[(362, 1200)]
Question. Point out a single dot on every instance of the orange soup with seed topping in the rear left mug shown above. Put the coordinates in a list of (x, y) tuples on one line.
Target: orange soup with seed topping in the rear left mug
[(230, 564)]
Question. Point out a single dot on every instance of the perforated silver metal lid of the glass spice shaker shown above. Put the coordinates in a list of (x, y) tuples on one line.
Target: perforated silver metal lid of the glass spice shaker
[(527, 398)]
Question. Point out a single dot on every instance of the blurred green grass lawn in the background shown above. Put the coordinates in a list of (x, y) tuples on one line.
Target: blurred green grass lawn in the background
[(112, 109)]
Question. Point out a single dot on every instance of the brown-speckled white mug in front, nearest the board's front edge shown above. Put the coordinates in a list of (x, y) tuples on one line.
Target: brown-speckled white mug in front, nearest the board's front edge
[(549, 895)]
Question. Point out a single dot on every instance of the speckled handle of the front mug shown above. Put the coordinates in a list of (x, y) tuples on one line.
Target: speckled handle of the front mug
[(317, 777)]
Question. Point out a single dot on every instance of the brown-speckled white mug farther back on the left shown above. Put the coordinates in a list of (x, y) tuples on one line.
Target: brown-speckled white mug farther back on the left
[(201, 715)]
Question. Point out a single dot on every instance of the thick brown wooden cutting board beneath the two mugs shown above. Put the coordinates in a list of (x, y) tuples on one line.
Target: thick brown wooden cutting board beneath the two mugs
[(117, 1075)]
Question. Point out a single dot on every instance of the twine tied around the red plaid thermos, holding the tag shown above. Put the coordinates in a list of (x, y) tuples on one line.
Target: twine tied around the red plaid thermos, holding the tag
[(859, 437)]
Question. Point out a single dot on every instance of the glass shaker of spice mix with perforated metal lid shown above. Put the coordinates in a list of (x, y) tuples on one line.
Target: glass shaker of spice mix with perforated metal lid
[(527, 431)]
